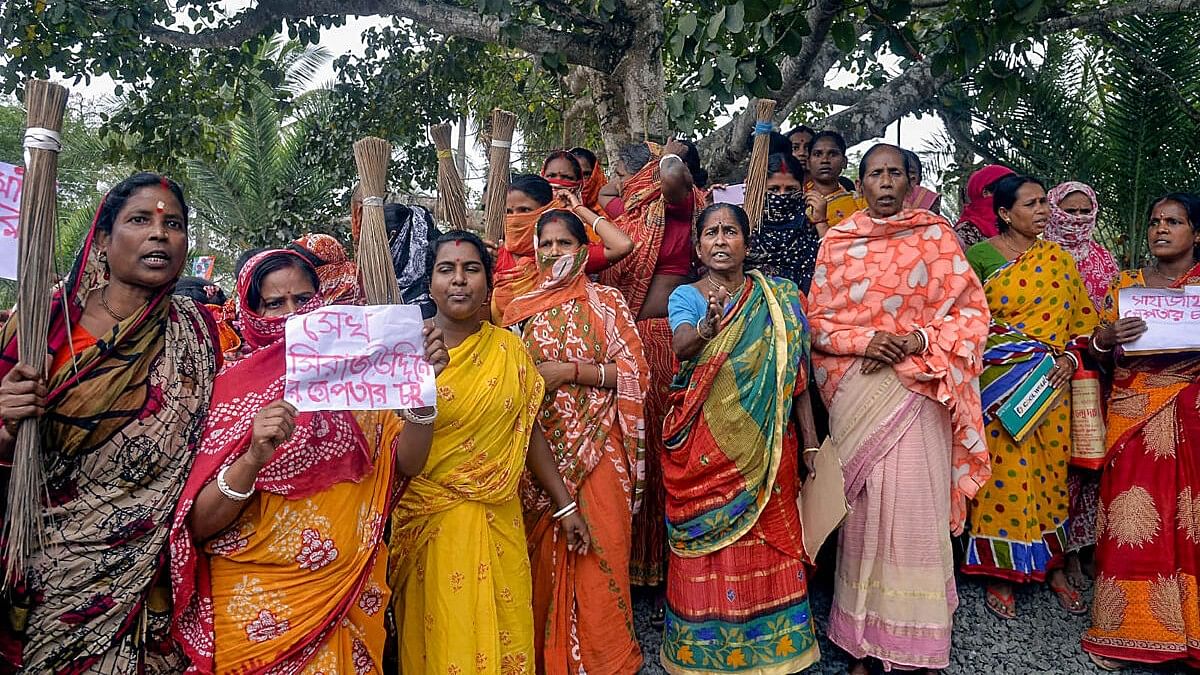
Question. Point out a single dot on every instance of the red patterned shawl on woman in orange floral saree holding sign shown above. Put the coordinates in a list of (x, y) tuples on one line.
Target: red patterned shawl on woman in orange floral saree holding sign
[(326, 449)]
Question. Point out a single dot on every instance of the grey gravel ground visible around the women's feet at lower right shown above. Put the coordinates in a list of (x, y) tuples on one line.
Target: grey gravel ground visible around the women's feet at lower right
[(1042, 640)]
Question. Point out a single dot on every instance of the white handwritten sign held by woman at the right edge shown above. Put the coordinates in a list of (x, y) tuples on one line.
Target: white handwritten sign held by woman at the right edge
[(1172, 316)]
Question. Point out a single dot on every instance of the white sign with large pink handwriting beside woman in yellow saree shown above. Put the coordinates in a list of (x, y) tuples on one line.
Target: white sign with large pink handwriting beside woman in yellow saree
[(358, 359)]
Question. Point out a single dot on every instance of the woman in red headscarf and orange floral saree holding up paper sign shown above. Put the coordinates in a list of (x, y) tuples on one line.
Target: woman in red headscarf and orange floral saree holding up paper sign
[(278, 549)]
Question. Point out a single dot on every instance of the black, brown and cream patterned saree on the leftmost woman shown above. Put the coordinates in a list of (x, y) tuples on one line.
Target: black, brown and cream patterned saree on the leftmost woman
[(124, 416)]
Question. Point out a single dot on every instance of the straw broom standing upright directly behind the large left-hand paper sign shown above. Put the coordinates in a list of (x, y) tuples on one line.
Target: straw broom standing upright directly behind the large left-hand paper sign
[(373, 157)]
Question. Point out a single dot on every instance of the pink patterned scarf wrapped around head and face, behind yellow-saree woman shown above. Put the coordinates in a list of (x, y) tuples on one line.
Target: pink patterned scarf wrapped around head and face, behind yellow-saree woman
[(1097, 267)]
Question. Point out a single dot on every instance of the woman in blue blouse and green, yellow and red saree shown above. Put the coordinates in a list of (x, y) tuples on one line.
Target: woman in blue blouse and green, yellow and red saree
[(737, 589)]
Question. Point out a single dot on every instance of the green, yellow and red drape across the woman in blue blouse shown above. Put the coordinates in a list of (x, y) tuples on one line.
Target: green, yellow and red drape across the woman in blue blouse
[(730, 416)]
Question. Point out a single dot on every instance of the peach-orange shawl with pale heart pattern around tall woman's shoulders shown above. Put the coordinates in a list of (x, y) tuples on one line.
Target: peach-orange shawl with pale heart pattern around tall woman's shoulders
[(903, 274)]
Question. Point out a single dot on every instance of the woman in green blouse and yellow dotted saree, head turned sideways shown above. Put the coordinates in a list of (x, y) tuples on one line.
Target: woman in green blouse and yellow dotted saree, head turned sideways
[(1039, 310)]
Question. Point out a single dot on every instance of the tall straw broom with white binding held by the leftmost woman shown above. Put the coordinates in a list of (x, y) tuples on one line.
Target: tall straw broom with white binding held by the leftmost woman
[(46, 103)]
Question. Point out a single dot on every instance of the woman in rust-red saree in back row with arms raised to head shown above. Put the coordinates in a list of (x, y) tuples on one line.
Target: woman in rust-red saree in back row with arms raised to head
[(656, 207)]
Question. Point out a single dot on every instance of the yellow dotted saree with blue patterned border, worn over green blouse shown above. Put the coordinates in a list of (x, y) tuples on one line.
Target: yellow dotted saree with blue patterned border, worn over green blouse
[(1040, 308)]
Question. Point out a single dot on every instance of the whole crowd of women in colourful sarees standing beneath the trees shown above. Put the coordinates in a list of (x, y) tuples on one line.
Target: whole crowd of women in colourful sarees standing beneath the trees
[(626, 395)]
